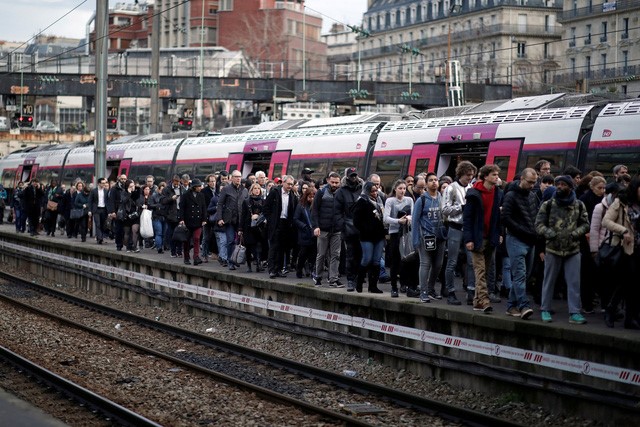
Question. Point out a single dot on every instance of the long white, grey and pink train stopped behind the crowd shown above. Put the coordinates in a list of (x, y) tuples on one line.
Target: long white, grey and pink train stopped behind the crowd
[(513, 134)]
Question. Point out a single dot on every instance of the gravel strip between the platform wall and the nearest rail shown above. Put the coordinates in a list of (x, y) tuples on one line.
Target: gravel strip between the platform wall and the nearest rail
[(327, 356)]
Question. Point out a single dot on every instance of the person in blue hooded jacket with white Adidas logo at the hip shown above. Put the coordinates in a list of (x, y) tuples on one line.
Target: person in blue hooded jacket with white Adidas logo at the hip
[(429, 236)]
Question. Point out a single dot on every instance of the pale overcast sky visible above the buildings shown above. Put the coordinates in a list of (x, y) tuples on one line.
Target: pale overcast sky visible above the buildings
[(23, 19)]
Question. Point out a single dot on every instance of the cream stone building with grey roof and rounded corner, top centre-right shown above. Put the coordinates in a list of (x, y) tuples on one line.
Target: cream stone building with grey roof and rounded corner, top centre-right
[(495, 41)]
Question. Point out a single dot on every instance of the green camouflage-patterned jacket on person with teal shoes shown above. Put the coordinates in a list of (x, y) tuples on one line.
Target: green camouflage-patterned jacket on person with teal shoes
[(562, 226)]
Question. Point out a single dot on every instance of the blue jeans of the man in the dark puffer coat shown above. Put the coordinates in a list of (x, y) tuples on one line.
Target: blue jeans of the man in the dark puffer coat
[(521, 257)]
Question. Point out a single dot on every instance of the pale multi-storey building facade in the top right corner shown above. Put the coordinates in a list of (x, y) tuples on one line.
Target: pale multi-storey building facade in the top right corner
[(601, 46)]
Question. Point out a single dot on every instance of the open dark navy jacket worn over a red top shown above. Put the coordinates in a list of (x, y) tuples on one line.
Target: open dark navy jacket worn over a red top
[(473, 219)]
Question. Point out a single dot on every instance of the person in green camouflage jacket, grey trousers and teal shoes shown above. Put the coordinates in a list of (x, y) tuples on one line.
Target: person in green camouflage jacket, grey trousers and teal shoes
[(562, 221)]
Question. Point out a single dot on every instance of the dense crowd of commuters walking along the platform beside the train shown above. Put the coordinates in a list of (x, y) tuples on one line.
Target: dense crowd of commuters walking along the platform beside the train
[(537, 237)]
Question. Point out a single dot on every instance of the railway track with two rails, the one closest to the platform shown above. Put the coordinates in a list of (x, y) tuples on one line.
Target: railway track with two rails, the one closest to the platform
[(261, 372)]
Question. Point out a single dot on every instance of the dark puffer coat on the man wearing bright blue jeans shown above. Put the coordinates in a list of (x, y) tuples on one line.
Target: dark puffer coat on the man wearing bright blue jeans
[(519, 210)]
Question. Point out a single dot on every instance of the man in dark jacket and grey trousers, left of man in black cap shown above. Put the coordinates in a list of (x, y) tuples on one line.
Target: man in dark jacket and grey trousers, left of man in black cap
[(328, 222)]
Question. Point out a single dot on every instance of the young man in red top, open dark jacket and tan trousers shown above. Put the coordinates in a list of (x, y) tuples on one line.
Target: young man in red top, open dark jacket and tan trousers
[(481, 230)]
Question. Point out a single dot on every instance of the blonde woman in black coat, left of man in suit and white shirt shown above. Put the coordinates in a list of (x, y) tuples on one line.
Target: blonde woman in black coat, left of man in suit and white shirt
[(253, 234)]
